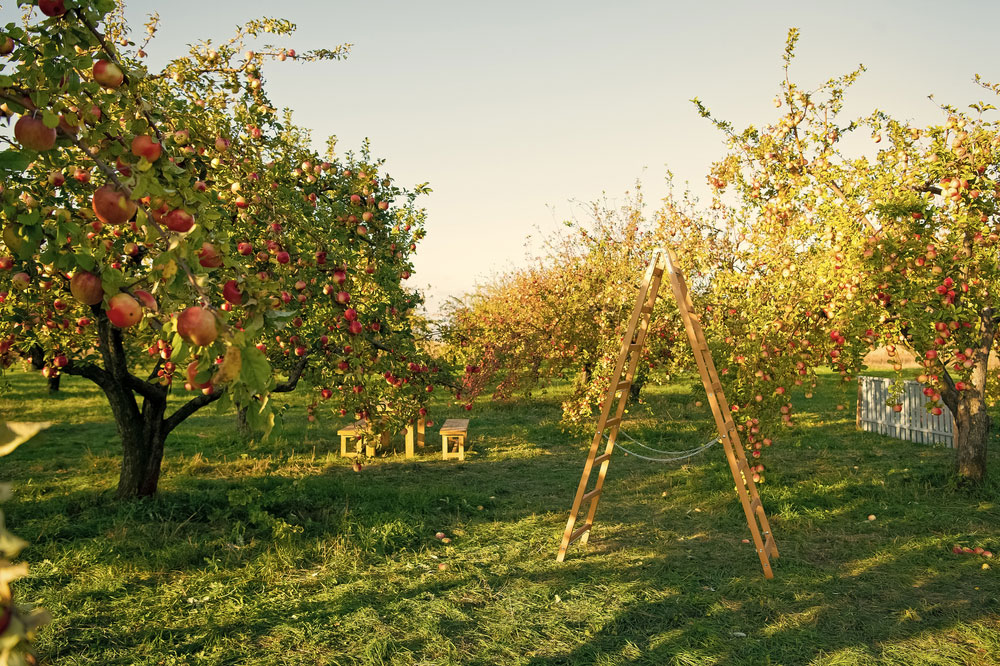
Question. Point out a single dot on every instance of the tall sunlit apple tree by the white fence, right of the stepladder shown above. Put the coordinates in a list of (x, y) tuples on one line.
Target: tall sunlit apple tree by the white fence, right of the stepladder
[(846, 234)]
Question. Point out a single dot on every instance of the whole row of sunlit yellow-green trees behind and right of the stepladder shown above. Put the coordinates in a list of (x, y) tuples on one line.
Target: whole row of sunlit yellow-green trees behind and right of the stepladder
[(824, 238)]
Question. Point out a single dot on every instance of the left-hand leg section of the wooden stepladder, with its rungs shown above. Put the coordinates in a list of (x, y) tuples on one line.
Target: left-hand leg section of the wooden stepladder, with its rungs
[(636, 329)]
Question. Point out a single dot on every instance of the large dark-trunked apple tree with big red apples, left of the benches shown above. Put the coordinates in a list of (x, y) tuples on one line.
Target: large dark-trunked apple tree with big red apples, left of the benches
[(171, 233)]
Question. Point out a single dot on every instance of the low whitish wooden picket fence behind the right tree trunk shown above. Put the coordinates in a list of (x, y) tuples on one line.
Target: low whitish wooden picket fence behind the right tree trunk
[(914, 423)]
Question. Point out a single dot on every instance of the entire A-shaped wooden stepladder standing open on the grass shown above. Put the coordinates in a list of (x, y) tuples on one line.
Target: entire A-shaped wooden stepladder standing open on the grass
[(613, 408)]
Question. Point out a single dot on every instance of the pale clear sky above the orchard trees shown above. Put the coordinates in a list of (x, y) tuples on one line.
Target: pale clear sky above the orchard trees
[(514, 110)]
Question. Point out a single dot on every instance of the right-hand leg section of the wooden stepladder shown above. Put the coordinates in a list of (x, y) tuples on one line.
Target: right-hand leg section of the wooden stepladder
[(746, 489)]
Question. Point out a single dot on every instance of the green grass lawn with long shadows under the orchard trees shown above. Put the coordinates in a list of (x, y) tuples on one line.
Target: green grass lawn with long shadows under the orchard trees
[(277, 553)]
